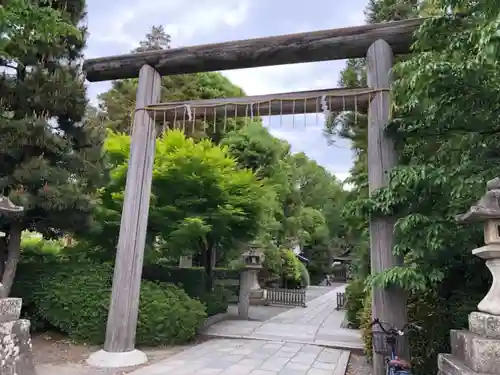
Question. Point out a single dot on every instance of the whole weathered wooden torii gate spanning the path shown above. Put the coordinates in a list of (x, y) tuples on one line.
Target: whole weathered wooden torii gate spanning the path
[(377, 42)]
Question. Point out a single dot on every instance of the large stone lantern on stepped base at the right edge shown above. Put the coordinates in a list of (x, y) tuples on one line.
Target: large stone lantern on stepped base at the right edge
[(477, 350)]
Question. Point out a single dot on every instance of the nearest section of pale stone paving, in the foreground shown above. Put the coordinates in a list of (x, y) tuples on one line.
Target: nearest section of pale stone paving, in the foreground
[(252, 357)]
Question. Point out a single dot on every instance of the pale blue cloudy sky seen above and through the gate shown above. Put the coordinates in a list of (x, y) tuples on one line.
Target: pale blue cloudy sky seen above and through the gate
[(116, 27)]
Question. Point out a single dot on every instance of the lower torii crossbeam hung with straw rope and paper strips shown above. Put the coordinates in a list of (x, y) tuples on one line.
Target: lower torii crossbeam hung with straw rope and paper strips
[(290, 103)]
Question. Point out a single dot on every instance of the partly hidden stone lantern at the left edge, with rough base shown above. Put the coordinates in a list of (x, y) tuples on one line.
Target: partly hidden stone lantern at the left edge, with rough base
[(16, 355)]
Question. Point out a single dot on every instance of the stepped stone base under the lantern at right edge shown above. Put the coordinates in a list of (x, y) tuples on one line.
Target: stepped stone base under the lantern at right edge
[(476, 351)]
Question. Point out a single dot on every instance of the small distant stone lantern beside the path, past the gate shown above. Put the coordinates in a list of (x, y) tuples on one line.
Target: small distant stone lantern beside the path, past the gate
[(250, 290)]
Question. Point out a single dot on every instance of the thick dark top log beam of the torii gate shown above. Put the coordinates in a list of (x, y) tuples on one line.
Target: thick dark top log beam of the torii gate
[(334, 44)]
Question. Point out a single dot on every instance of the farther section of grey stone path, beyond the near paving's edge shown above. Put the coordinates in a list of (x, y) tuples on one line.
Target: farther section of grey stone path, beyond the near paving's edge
[(319, 323)]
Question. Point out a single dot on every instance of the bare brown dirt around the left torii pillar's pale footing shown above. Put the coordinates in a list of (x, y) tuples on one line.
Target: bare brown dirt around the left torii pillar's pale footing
[(54, 354)]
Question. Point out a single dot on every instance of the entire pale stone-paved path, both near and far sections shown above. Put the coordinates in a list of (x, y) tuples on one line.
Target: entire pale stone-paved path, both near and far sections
[(278, 353)]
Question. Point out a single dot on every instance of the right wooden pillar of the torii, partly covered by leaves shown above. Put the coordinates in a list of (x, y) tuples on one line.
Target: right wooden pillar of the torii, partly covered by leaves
[(388, 305)]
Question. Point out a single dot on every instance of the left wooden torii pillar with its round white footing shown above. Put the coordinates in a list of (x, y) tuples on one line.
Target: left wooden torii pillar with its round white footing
[(119, 347)]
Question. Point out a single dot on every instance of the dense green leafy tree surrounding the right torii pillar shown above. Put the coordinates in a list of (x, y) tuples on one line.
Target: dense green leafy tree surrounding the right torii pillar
[(446, 131)]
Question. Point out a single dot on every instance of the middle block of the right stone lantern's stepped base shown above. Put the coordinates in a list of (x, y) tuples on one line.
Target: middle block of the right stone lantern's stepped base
[(480, 354)]
